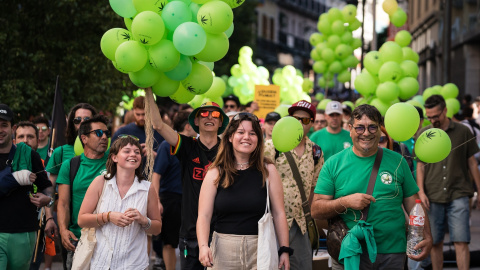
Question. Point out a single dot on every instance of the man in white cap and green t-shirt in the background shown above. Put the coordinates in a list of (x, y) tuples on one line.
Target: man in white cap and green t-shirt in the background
[(334, 138)]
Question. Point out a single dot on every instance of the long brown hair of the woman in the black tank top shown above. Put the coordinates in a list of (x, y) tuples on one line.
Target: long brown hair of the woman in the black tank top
[(225, 160)]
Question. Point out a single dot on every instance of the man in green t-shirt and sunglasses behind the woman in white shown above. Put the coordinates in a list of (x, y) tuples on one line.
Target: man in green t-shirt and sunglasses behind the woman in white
[(94, 137)]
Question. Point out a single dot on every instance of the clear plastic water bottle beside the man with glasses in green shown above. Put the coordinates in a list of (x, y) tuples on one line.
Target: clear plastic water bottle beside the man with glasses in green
[(415, 228)]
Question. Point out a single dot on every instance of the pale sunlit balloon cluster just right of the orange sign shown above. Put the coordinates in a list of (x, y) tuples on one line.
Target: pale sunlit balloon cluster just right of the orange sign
[(293, 87)]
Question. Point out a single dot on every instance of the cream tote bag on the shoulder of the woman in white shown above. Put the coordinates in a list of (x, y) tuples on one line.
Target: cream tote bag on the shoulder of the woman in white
[(86, 244)]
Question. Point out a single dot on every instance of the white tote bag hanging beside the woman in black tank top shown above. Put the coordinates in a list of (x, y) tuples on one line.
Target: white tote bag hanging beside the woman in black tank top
[(267, 255)]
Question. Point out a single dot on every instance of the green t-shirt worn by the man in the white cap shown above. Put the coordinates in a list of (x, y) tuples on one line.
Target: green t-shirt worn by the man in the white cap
[(331, 143)]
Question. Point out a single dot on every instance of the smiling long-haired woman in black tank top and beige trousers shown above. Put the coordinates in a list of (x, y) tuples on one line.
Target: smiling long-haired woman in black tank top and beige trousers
[(235, 188)]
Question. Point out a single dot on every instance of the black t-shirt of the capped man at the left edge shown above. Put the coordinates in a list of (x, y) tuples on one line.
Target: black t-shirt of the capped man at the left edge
[(18, 213)]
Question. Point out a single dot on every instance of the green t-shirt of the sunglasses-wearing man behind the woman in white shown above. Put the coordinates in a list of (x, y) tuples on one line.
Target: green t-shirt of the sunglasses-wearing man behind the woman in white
[(88, 170)]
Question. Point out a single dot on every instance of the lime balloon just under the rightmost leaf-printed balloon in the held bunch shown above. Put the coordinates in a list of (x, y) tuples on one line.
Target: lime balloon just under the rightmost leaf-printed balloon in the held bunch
[(216, 47)]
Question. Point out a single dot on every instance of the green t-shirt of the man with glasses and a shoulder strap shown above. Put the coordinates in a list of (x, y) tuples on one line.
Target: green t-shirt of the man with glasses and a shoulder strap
[(346, 173)]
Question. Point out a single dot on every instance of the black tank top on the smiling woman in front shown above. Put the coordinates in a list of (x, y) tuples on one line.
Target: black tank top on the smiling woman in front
[(239, 207)]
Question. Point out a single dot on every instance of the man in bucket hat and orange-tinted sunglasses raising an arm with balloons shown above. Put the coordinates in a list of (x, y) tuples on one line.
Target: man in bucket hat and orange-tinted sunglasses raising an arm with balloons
[(195, 155)]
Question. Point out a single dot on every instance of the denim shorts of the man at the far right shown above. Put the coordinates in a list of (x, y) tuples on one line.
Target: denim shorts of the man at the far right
[(456, 214)]
